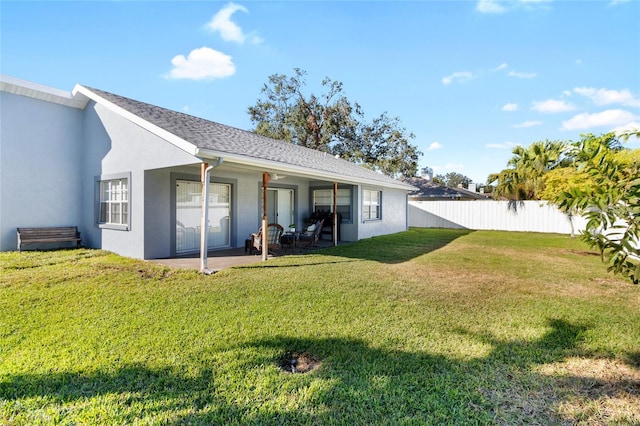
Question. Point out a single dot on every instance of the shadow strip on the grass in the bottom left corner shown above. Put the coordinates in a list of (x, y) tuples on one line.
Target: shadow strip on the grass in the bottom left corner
[(142, 392)]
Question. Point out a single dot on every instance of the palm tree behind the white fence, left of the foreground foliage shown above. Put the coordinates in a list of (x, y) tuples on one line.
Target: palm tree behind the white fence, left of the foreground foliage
[(524, 177)]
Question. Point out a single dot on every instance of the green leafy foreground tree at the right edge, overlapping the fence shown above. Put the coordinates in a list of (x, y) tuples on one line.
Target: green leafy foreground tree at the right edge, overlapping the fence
[(605, 187)]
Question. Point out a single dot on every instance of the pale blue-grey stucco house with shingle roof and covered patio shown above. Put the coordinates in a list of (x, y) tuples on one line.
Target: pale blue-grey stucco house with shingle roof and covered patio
[(129, 175)]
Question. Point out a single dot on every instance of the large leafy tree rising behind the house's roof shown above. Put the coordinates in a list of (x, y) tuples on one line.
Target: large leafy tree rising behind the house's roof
[(333, 124)]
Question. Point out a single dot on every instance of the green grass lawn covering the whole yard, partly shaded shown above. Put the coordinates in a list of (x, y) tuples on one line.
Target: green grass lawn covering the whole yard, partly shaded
[(427, 326)]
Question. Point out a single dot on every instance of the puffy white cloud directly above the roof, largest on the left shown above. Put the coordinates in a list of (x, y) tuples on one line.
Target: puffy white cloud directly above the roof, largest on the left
[(202, 64)]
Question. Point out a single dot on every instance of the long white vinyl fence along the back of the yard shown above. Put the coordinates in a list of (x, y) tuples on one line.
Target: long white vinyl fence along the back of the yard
[(526, 216)]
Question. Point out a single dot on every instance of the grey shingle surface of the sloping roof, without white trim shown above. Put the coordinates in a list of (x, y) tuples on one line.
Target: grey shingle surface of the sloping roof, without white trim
[(224, 139)]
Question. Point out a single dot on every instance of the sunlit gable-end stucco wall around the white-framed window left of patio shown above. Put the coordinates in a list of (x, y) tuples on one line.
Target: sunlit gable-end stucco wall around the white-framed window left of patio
[(114, 145)]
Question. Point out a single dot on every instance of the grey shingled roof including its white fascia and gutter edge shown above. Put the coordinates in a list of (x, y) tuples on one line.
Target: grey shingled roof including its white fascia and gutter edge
[(207, 139)]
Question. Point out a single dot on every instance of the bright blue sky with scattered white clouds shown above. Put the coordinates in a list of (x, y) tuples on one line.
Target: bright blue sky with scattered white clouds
[(471, 79)]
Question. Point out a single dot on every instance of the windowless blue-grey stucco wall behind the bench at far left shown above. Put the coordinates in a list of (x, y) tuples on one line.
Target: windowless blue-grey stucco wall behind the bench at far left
[(39, 155)]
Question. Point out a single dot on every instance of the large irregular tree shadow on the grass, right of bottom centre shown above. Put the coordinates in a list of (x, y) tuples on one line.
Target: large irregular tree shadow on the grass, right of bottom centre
[(392, 386)]
